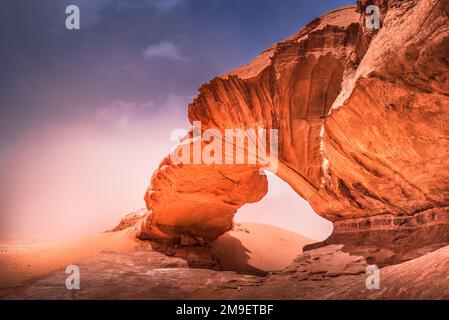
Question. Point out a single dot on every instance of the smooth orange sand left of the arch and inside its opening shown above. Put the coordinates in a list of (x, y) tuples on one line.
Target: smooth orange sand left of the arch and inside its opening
[(249, 247)]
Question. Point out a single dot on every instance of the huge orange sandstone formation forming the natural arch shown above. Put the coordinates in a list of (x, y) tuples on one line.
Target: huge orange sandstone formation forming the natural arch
[(363, 127)]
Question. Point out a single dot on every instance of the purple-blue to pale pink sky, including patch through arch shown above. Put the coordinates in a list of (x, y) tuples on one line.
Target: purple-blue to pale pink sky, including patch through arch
[(86, 115)]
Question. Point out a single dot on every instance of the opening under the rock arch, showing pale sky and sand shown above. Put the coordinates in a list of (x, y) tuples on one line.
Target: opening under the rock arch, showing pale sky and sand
[(269, 234)]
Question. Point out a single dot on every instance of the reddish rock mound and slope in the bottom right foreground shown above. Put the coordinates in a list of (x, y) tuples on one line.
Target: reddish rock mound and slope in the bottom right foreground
[(330, 273)]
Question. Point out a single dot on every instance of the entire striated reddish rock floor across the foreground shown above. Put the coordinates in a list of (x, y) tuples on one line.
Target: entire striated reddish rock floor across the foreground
[(324, 273)]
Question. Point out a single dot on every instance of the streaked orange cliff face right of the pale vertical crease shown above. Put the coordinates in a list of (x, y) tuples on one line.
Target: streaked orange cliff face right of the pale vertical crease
[(386, 141)]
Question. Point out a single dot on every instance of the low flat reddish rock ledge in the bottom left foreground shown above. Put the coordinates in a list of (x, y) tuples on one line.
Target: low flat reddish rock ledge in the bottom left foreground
[(140, 274)]
